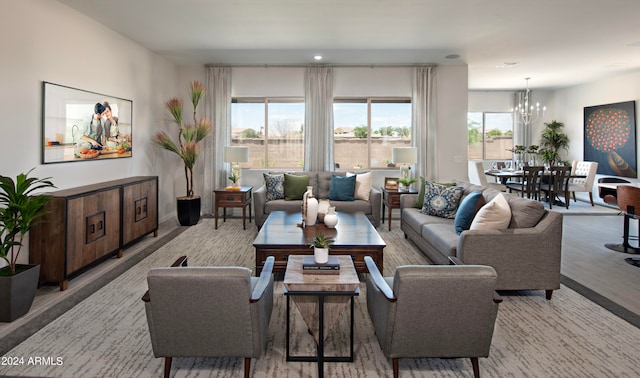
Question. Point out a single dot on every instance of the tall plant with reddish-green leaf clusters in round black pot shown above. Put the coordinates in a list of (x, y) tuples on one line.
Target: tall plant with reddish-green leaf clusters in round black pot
[(186, 147)]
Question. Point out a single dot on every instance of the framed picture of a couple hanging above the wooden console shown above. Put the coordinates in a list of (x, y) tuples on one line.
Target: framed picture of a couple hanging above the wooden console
[(79, 125)]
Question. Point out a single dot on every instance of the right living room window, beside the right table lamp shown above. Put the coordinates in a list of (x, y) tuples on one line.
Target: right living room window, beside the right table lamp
[(366, 130)]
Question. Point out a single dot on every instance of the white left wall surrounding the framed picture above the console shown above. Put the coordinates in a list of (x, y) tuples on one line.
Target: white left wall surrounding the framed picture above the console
[(44, 40)]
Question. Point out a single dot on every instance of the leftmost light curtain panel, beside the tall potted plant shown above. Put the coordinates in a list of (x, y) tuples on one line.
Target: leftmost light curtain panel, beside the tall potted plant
[(218, 110)]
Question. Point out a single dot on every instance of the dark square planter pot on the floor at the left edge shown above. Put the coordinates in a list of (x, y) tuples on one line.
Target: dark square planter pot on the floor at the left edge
[(17, 292)]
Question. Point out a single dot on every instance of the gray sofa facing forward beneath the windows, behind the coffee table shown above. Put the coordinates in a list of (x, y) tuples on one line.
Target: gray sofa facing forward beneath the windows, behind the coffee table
[(321, 182)]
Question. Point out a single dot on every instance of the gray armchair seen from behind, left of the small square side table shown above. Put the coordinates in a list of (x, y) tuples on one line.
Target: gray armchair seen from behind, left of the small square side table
[(208, 312)]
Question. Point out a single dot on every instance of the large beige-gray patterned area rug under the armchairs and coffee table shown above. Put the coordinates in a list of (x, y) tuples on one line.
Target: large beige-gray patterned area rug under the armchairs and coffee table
[(106, 335)]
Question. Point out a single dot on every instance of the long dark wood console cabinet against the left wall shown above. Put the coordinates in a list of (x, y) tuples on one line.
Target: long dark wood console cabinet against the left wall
[(89, 223)]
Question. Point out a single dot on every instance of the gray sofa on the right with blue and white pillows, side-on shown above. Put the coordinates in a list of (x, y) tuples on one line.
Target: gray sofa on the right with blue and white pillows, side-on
[(526, 255)]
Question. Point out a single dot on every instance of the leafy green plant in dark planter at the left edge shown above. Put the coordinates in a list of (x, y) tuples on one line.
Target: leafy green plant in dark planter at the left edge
[(19, 212)]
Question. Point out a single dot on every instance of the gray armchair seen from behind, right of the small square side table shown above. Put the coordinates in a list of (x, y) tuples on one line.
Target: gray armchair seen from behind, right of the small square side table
[(437, 311)]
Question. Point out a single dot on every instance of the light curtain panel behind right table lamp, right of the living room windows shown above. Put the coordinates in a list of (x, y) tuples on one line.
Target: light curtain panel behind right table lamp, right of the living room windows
[(424, 124)]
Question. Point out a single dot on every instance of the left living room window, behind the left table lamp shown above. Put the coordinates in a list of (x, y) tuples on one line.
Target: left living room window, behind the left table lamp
[(272, 128)]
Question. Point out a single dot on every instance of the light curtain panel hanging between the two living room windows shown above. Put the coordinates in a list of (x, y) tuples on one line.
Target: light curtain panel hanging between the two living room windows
[(318, 129)]
